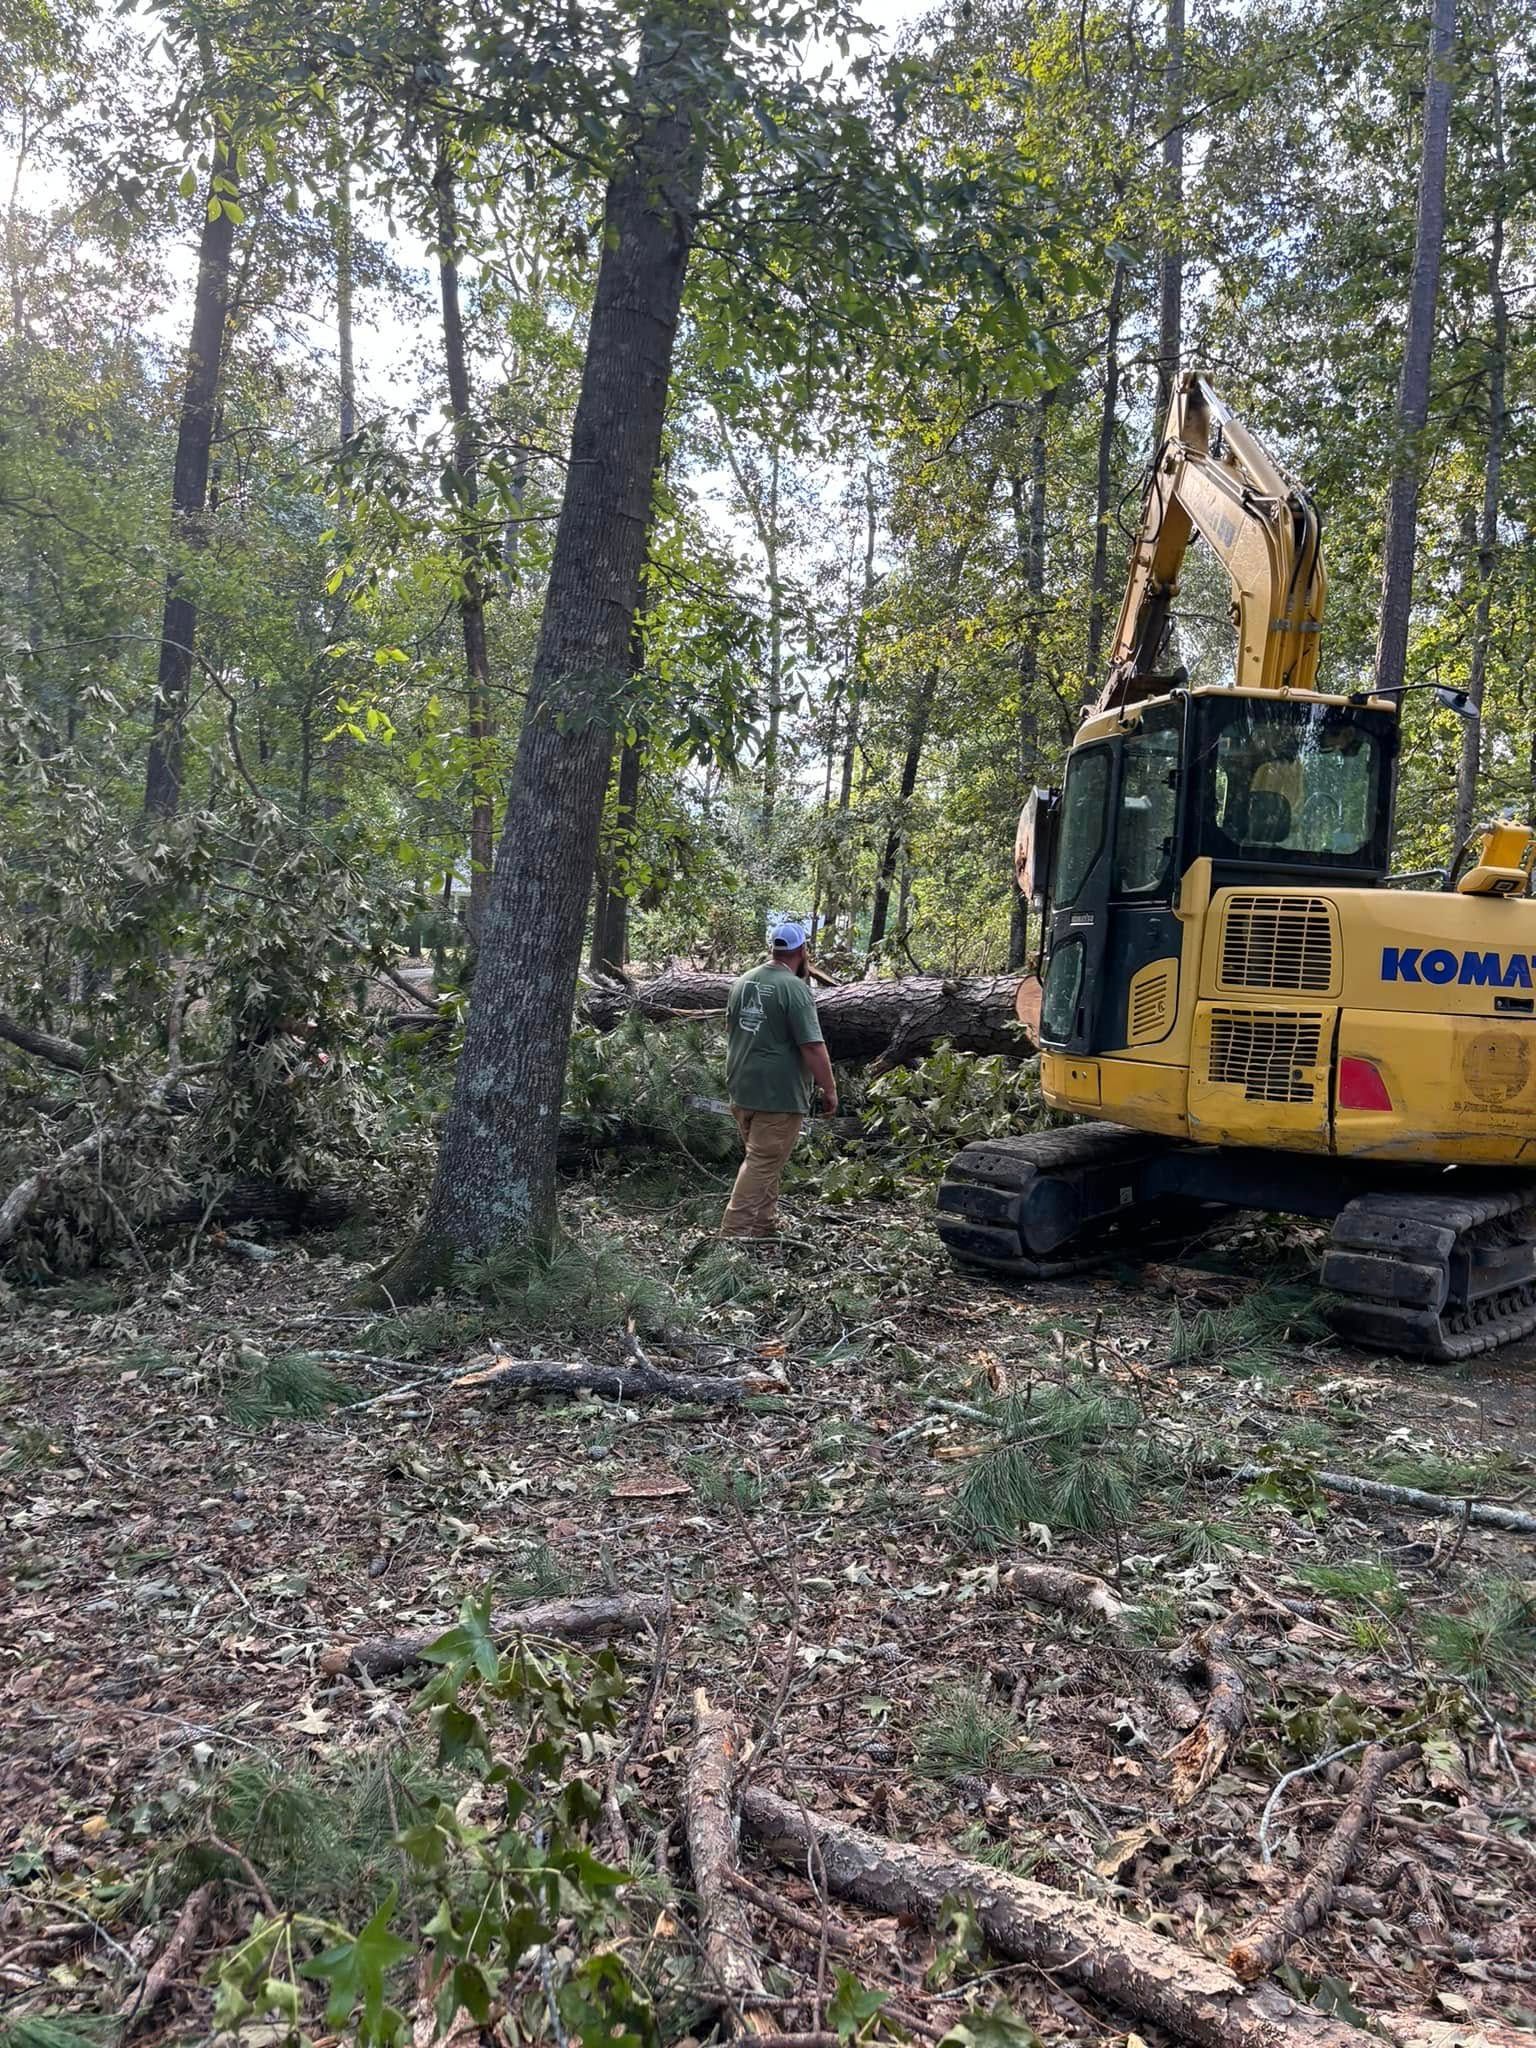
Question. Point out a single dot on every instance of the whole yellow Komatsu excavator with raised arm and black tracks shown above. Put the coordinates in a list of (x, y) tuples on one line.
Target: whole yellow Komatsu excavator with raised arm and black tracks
[(1238, 1002)]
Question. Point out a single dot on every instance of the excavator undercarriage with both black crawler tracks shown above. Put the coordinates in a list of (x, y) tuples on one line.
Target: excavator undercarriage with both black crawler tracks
[(1428, 1265)]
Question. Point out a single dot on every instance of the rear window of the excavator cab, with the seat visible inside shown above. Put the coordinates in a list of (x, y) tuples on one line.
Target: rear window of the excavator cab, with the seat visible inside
[(1295, 785)]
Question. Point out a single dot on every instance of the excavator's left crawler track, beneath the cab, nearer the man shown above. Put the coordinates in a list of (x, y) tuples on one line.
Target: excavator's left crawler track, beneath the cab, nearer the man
[(1054, 1203)]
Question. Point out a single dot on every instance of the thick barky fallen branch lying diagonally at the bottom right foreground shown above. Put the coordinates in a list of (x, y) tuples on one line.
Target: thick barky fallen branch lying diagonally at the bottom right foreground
[(1140, 1971)]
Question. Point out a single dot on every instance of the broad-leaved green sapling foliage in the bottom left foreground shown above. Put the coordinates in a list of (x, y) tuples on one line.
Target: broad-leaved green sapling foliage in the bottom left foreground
[(486, 1879)]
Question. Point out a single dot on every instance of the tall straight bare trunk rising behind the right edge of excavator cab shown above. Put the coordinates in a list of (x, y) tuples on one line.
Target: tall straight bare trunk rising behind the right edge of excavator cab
[(1418, 349)]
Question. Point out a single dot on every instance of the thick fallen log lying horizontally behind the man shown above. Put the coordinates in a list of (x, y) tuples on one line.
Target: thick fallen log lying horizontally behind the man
[(888, 1023)]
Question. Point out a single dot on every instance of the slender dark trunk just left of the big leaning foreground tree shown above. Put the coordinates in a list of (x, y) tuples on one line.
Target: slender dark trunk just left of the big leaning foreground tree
[(472, 599)]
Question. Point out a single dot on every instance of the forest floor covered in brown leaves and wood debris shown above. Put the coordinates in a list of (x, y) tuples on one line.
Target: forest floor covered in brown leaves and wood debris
[(185, 1549)]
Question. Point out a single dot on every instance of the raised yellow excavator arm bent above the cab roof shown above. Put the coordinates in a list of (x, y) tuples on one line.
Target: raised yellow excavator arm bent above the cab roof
[(1213, 478)]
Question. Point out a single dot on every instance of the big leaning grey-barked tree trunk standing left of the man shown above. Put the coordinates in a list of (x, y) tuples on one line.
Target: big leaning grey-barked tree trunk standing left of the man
[(497, 1166)]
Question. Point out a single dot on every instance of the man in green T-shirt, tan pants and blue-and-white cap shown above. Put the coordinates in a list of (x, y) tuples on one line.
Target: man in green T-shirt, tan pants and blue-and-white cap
[(773, 1064)]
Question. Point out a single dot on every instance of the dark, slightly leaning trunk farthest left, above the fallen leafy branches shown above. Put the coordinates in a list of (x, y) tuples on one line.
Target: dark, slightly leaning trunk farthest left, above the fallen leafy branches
[(189, 488)]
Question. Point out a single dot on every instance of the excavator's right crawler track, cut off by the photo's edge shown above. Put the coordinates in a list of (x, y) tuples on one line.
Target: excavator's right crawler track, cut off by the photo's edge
[(1437, 1275)]
